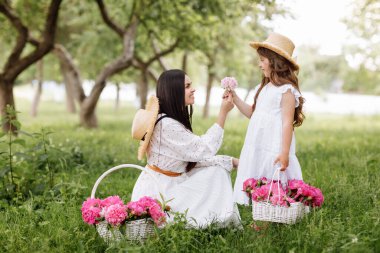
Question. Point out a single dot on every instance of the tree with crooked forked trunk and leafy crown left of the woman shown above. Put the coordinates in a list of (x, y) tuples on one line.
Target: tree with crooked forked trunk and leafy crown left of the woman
[(150, 22)]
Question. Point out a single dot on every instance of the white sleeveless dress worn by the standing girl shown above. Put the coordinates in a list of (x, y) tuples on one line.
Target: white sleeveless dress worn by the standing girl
[(263, 141)]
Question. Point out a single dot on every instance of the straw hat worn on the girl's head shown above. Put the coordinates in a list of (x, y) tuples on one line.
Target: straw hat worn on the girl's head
[(280, 44)]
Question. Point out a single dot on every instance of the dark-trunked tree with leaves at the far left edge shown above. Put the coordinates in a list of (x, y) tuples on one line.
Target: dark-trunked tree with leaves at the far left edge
[(24, 31)]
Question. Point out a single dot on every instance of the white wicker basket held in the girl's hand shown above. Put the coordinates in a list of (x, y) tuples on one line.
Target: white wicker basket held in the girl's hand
[(265, 211)]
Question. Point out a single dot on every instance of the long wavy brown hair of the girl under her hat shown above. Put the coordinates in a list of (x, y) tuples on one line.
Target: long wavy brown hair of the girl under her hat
[(282, 72)]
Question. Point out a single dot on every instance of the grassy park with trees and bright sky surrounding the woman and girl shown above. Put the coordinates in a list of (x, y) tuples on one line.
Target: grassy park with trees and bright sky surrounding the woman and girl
[(77, 71)]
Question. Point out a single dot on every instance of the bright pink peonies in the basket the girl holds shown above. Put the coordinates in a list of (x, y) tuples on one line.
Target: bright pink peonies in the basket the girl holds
[(296, 191)]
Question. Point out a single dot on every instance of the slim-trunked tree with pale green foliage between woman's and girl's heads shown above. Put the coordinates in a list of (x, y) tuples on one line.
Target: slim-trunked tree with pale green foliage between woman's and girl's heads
[(223, 50)]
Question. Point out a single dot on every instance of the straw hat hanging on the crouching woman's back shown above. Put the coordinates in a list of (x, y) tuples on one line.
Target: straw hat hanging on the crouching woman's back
[(143, 124)]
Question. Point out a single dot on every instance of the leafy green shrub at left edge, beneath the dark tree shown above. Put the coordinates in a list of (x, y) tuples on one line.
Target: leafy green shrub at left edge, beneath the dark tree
[(29, 165)]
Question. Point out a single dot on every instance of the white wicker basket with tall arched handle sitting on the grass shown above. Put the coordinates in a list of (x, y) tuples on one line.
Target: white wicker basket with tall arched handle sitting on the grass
[(137, 230)]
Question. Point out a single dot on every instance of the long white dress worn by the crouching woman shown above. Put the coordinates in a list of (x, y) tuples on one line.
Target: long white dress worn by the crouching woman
[(205, 193)]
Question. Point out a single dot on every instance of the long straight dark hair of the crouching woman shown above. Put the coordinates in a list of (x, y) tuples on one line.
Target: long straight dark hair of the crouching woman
[(170, 92)]
